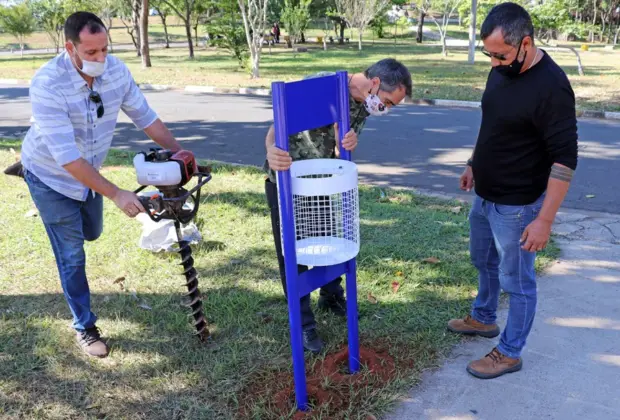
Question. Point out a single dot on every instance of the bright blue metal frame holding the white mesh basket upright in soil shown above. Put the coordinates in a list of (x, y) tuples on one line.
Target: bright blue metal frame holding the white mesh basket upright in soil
[(299, 106)]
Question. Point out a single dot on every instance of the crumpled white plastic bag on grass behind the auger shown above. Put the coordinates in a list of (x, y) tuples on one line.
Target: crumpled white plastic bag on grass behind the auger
[(161, 236)]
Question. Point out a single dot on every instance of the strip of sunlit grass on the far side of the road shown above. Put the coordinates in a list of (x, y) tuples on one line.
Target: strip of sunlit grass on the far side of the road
[(434, 76)]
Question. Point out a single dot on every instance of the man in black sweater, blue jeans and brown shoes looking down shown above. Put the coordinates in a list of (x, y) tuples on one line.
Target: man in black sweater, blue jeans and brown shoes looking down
[(521, 169)]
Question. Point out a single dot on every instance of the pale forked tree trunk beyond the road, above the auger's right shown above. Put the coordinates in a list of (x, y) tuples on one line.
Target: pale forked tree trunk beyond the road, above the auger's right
[(254, 15)]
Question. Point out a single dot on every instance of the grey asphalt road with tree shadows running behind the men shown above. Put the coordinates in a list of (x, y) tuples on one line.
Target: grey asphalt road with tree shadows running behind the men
[(413, 146)]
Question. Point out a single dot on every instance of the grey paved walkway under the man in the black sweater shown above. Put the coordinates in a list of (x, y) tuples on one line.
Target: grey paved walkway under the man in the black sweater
[(572, 361)]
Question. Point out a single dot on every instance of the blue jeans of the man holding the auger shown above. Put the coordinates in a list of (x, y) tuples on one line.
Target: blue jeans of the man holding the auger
[(68, 224)]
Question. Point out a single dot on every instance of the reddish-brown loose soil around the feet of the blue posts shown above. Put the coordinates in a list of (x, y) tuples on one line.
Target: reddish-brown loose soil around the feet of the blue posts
[(330, 387)]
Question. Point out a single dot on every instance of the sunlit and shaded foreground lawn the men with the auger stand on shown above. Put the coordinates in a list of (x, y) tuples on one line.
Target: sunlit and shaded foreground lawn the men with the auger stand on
[(157, 369)]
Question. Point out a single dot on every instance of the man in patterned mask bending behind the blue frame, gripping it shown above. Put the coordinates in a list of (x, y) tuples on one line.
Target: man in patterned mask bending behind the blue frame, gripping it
[(373, 92)]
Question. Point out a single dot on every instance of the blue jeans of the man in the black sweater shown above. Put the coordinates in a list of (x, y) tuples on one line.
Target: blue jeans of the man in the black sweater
[(495, 248)]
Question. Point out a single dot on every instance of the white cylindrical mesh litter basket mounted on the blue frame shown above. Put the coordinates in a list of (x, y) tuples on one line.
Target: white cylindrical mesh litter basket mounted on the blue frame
[(326, 210)]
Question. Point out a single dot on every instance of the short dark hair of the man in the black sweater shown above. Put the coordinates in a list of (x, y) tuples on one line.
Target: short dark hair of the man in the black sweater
[(514, 21)]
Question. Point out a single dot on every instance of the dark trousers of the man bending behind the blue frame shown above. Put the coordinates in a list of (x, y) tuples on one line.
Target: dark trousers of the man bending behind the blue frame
[(330, 289)]
